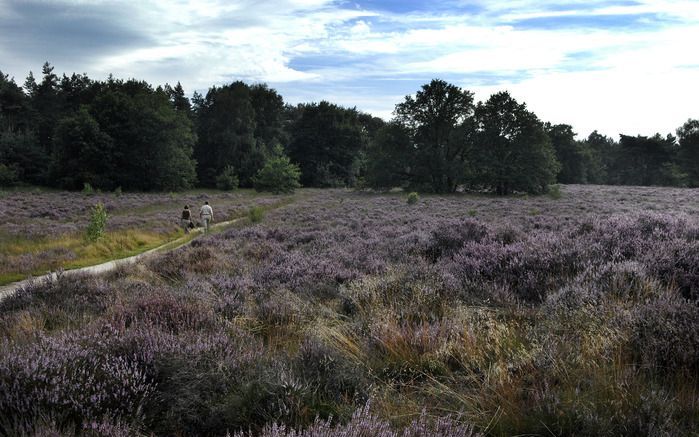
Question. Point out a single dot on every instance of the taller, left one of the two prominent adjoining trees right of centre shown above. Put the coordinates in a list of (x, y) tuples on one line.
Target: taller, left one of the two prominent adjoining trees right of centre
[(438, 120)]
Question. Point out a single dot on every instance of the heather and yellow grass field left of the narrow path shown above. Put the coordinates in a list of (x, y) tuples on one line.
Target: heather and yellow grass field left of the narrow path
[(44, 231)]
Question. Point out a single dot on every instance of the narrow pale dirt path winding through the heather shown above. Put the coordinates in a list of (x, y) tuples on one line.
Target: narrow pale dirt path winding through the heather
[(9, 289)]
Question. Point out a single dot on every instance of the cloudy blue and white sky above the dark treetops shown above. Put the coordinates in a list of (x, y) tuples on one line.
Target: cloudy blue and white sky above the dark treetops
[(615, 66)]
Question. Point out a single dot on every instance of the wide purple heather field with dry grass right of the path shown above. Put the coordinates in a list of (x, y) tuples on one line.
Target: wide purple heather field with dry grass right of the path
[(358, 314)]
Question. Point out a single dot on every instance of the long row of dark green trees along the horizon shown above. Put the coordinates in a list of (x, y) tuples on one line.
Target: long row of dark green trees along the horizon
[(70, 131)]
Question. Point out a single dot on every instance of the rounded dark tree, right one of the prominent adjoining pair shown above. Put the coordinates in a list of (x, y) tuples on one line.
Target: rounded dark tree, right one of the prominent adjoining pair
[(512, 151)]
